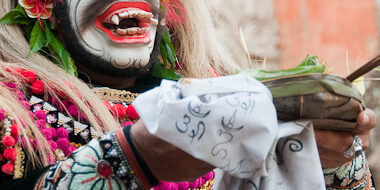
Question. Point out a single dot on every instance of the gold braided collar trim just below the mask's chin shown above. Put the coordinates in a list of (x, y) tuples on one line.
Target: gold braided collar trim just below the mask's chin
[(114, 95)]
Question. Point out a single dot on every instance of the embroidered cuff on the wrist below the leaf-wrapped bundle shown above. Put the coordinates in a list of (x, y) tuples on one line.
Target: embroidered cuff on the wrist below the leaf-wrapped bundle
[(354, 175)]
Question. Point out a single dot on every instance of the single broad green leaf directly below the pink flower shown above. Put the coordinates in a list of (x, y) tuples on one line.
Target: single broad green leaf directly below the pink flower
[(37, 38)]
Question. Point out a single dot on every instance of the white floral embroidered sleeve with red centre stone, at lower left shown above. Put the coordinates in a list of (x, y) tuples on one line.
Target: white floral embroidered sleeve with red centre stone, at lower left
[(98, 165)]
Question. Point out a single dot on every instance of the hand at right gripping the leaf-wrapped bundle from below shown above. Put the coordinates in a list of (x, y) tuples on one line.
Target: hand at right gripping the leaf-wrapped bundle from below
[(333, 144)]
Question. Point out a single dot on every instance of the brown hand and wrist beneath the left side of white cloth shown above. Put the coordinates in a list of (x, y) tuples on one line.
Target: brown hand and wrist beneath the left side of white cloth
[(167, 162)]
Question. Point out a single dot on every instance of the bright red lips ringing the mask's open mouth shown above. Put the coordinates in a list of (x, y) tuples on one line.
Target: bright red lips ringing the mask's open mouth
[(144, 38)]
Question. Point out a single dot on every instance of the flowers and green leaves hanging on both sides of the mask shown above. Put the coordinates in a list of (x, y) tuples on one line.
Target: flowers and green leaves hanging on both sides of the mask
[(36, 16)]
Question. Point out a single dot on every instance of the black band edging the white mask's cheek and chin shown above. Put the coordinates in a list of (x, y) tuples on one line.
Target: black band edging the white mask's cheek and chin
[(94, 62)]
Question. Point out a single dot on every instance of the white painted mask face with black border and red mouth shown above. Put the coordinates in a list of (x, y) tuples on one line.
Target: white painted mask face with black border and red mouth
[(120, 33)]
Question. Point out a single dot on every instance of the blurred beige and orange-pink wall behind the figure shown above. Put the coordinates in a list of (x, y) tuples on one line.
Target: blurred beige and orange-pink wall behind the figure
[(280, 33)]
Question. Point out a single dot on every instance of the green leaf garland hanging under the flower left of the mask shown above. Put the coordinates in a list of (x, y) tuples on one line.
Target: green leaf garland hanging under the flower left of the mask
[(41, 36)]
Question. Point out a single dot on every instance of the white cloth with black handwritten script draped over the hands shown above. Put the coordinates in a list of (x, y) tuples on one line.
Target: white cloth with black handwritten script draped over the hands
[(231, 123)]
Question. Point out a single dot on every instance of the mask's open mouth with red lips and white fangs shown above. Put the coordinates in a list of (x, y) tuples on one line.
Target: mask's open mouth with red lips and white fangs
[(127, 22)]
